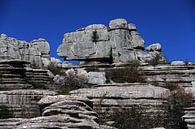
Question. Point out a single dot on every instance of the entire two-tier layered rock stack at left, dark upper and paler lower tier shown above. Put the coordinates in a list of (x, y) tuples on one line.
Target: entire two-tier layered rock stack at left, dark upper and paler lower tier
[(22, 87)]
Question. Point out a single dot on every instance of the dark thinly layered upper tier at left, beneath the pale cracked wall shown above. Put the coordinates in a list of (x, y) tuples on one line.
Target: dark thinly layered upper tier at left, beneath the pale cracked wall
[(14, 74)]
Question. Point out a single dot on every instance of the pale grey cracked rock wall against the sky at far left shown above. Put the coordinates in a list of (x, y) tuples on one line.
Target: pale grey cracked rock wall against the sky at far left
[(34, 52)]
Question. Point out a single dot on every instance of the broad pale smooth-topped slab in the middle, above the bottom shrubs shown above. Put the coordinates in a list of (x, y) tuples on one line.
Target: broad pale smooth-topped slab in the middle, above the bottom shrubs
[(117, 96)]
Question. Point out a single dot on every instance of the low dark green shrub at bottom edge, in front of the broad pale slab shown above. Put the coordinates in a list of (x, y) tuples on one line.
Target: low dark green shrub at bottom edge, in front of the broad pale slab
[(136, 118)]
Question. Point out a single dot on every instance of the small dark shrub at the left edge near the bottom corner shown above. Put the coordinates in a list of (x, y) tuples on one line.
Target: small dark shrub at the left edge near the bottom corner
[(4, 112)]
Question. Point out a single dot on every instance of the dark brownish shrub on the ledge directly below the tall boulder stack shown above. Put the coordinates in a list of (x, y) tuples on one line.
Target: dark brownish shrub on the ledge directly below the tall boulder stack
[(130, 74)]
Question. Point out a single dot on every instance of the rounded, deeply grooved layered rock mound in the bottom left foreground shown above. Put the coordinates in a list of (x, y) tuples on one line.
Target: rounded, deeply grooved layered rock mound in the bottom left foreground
[(64, 112)]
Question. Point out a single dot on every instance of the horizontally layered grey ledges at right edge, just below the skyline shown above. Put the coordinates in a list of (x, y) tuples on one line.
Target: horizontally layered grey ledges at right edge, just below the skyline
[(171, 75)]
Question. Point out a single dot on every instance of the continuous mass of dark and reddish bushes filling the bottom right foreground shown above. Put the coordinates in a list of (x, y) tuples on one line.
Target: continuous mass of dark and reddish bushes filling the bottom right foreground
[(137, 117)]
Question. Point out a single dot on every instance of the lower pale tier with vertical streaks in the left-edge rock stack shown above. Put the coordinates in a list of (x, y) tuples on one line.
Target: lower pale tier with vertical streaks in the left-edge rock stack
[(23, 103)]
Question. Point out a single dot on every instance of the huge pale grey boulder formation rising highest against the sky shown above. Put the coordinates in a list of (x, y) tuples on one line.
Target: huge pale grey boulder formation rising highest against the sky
[(118, 43)]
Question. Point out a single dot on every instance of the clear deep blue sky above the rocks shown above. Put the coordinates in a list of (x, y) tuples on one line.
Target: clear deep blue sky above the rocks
[(169, 22)]
